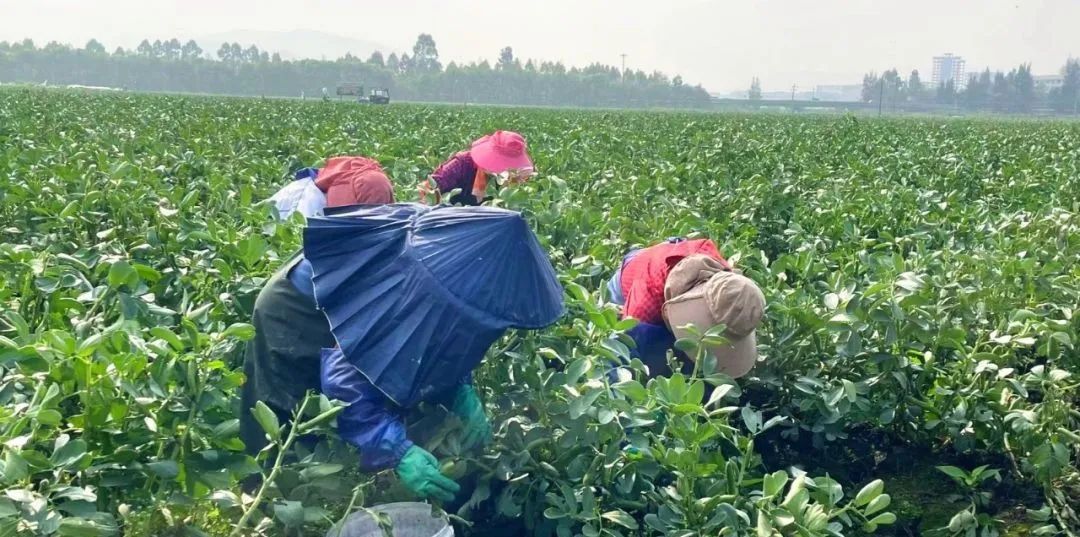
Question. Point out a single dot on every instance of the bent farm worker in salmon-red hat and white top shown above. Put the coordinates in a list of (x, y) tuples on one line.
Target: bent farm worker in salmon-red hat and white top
[(345, 181)]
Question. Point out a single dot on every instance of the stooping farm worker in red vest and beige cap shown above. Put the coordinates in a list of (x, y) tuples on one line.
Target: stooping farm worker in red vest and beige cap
[(680, 283)]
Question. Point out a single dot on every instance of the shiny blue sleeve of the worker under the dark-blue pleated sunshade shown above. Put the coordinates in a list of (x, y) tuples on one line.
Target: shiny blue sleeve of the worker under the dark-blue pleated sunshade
[(371, 423)]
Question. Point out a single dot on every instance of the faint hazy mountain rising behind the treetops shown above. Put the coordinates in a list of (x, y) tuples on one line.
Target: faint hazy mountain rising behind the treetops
[(295, 45)]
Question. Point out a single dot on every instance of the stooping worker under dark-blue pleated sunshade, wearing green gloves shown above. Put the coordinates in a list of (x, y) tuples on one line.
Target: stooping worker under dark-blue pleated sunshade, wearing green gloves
[(391, 306)]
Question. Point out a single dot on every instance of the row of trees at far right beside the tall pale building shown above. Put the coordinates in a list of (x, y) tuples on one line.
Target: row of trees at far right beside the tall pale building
[(1016, 91)]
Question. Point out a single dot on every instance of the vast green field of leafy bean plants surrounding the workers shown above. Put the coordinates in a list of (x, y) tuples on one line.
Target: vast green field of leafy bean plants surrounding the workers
[(922, 331)]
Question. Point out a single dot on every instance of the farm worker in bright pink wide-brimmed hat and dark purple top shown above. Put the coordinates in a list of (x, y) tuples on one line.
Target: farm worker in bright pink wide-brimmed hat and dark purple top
[(499, 153)]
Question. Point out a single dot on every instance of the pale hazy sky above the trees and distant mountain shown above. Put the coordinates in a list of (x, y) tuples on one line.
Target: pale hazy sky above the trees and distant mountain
[(721, 45)]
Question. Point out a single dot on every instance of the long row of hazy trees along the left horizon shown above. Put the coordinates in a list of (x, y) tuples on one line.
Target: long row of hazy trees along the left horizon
[(172, 66)]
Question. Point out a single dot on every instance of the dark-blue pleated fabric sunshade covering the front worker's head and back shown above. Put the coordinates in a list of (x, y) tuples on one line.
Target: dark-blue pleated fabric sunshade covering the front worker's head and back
[(415, 296)]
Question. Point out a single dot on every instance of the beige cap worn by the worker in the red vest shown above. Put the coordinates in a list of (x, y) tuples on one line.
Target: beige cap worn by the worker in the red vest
[(727, 299)]
